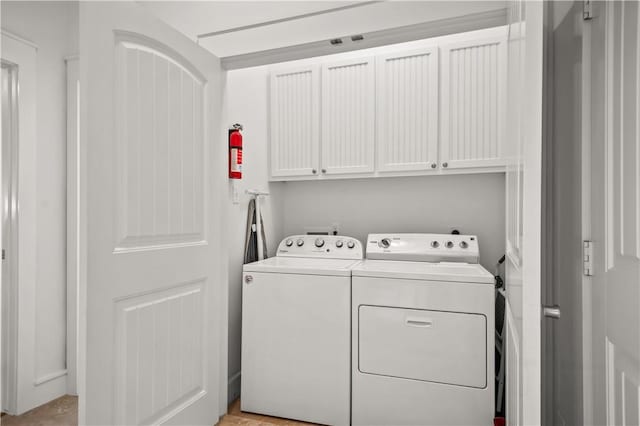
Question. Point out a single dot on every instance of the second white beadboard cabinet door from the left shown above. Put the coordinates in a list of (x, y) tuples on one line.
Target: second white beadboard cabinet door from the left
[(348, 114)]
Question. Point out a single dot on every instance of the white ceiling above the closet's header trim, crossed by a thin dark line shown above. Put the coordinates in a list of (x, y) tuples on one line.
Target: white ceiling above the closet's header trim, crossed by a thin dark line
[(194, 18)]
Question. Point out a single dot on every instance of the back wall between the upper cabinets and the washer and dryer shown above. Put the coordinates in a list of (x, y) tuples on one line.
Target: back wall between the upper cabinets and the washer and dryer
[(473, 204)]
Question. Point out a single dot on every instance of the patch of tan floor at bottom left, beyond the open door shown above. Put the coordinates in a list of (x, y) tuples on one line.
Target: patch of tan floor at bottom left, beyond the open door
[(59, 412)]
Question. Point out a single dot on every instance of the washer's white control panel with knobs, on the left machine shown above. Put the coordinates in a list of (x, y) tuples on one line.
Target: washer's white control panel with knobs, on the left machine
[(321, 246)]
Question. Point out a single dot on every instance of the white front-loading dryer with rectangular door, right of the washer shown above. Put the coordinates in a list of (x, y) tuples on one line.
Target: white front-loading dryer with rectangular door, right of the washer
[(423, 332)]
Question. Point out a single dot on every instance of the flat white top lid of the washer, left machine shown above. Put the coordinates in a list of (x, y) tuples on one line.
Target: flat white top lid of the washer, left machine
[(302, 265)]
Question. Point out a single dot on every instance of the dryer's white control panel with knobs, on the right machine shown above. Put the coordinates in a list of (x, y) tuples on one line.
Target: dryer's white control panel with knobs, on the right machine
[(423, 247)]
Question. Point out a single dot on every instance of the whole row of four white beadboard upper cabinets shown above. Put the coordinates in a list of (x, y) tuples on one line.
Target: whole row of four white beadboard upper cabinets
[(437, 108)]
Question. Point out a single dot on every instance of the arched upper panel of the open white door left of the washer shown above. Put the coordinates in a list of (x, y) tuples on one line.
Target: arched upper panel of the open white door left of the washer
[(160, 146)]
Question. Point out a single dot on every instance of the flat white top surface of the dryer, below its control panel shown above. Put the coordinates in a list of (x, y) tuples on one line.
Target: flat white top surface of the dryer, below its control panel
[(441, 271)]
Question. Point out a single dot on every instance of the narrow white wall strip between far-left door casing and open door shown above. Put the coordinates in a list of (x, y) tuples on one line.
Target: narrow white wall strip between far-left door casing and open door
[(52, 26)]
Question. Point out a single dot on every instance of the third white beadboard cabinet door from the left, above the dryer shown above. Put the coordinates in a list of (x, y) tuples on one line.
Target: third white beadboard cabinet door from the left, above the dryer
[(407, 110)]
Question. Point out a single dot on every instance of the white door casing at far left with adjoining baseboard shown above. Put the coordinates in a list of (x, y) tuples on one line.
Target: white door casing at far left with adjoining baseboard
[(25, 390)]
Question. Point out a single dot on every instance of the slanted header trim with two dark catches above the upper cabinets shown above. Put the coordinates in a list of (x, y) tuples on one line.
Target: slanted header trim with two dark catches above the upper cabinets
[(420, 31)]
